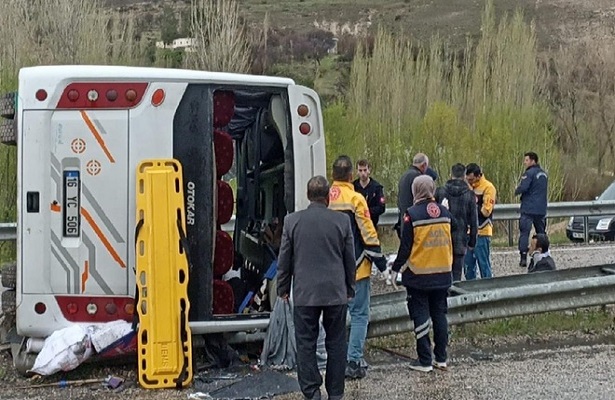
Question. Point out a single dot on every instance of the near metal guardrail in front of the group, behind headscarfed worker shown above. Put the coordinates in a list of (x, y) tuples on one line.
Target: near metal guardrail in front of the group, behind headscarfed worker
[(504, 297)]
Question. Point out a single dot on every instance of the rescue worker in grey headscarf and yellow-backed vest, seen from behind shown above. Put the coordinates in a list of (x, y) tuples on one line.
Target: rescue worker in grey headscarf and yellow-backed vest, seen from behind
[(426, 256)]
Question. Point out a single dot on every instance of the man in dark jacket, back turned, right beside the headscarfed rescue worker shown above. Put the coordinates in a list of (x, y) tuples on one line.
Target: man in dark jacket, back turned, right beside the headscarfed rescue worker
[(459, 198)]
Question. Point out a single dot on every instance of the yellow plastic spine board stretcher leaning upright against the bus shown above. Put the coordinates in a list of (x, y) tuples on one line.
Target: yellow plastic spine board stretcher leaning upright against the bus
[(164, 337)]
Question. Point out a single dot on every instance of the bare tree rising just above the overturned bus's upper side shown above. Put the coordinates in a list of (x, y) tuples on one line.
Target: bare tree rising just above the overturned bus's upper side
[(221, 43)]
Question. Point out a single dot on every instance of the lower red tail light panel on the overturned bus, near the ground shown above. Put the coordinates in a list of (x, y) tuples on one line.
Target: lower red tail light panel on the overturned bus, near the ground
[(90, 309)]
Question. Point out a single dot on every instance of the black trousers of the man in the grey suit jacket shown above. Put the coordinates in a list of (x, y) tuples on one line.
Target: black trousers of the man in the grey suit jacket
[(306, 334)]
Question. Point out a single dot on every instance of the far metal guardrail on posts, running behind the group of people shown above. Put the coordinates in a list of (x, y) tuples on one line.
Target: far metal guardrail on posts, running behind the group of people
[(502, 212)]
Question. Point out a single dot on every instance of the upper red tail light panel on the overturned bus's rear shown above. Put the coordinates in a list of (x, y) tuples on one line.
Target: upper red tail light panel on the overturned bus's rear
[(88, 95)]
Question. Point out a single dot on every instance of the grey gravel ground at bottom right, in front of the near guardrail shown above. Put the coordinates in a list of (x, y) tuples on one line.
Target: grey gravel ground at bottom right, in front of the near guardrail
[(549, 367)]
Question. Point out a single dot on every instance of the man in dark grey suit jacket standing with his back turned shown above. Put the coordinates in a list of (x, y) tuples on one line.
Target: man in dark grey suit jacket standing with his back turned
[(317, 254)]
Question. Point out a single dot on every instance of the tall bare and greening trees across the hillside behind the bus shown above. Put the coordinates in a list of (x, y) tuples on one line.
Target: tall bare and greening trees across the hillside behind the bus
[(487, 103)]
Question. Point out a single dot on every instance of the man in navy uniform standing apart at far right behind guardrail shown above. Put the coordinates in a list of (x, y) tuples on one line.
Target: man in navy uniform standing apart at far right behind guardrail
[(533, 191)]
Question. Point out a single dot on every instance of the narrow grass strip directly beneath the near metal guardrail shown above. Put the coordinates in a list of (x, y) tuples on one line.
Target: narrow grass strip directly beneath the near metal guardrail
[(587, 321)]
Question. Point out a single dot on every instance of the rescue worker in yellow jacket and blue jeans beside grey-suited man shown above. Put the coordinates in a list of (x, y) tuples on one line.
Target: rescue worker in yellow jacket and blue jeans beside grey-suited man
[(343, 198)]
